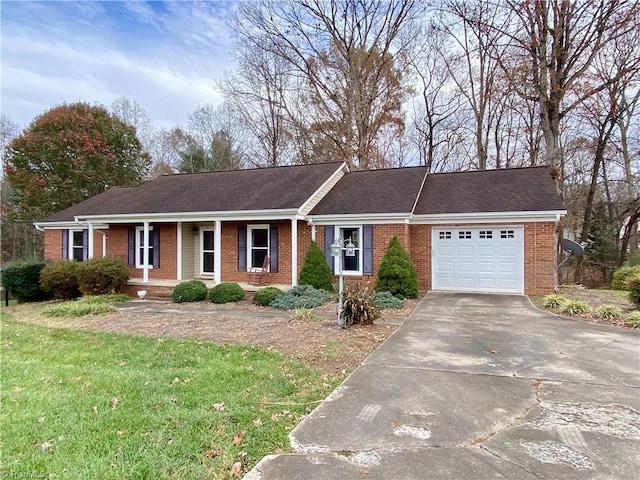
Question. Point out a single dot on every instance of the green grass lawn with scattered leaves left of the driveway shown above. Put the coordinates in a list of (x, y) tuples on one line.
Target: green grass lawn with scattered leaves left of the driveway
[(79, 405)]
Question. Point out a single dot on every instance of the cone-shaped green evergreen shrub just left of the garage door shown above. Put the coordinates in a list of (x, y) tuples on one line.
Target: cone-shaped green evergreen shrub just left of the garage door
[(396, 273)]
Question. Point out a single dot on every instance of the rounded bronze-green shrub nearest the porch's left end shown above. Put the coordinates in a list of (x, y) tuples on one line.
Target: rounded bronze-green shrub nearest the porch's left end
[(100, 276)]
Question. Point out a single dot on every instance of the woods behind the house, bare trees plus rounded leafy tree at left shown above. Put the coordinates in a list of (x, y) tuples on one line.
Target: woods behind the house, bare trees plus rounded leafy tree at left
[(453, 85)]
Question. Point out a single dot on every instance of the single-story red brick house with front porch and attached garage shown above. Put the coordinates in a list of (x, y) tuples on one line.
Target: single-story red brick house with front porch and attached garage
[(484, 231)]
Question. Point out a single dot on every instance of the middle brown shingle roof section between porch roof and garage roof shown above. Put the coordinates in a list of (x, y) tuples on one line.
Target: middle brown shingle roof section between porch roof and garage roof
[(373, 191)]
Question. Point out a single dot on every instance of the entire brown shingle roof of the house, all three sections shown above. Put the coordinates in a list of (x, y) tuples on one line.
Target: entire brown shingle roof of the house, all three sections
[(360, 192)]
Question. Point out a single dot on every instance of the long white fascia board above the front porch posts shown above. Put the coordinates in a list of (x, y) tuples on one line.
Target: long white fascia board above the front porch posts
[(242, 215)]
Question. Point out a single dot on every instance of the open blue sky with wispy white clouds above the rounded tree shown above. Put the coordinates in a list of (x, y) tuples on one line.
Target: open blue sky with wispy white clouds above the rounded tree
[(165, 55)]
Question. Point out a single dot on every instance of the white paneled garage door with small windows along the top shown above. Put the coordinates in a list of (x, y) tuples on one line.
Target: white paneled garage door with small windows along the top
[(472, 259)]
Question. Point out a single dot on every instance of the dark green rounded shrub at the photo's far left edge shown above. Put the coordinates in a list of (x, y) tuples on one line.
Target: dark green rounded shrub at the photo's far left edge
[(22, 280)]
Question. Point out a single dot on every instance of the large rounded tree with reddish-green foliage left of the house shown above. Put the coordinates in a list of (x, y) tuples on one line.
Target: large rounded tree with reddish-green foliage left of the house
[(68, 154)]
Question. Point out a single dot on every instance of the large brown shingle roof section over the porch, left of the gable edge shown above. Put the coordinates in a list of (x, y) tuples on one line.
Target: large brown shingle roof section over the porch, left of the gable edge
[(277, 188)]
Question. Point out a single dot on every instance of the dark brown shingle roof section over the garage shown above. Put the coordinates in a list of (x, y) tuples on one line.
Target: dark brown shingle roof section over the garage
[(508, 190)]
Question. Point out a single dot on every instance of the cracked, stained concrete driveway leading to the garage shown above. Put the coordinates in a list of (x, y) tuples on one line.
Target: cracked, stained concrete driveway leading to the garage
[(478, 387)]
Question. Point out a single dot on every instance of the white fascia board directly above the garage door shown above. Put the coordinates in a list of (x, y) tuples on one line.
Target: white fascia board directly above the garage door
[(487, 217)]
